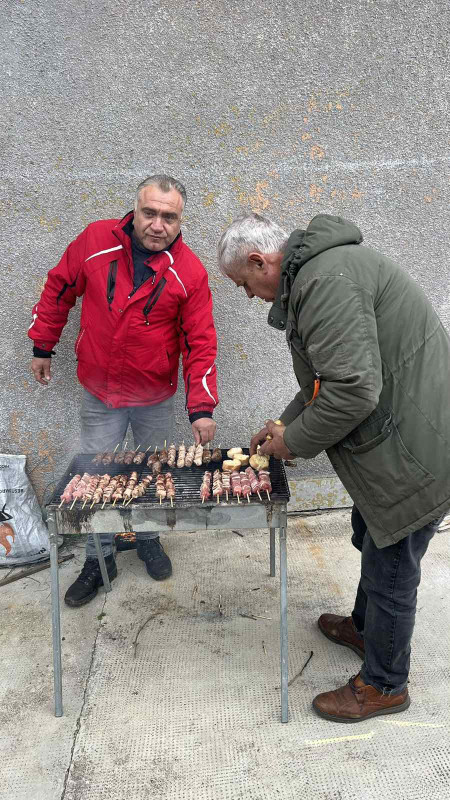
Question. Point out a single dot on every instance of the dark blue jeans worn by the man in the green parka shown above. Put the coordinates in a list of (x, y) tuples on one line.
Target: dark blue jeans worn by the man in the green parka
[(385, 606)]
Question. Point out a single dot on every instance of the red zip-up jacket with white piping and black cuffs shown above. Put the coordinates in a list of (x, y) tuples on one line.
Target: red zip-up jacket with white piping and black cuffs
[(129, 343)]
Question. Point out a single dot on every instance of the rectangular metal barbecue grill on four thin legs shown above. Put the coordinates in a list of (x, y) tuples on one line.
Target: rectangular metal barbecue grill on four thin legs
[(188, 513)]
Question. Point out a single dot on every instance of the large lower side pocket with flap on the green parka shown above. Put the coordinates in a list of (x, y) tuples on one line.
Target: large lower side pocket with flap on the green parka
[(388, 471)]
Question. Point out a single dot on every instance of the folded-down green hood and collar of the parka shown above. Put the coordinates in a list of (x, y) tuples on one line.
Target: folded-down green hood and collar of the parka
[(323, 232)]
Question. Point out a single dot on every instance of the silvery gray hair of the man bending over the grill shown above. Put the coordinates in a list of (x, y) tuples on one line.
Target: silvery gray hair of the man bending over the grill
[(247, 233)]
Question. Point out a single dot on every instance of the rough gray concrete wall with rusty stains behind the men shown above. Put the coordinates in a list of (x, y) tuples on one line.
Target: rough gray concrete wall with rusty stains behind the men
[(284, 107)]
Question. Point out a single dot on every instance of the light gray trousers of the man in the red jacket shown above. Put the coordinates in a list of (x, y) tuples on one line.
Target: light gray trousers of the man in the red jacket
[(103, 428)]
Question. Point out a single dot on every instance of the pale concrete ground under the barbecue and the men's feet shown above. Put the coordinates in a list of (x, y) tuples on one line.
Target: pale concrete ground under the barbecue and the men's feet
[(191, 709)]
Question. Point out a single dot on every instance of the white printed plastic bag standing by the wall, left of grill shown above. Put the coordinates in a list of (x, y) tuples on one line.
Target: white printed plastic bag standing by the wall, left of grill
[(23, 534)]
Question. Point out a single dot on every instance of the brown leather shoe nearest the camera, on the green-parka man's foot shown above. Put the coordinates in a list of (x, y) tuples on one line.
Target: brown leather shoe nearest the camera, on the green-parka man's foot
[(357, 701)]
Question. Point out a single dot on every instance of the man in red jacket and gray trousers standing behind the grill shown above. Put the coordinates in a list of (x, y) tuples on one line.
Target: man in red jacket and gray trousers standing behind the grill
[(146, 299)]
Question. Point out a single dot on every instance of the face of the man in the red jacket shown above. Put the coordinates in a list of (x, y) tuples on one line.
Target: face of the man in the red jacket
[(157, 218)]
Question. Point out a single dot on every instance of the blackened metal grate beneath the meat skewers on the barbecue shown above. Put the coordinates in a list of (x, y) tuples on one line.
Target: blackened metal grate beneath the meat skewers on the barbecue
[(187, 482)]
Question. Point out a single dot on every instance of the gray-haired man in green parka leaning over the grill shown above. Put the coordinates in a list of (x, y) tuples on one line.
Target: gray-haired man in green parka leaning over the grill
[(373, 362)]
